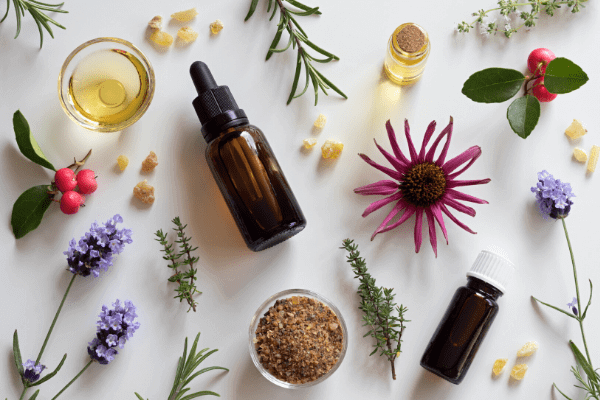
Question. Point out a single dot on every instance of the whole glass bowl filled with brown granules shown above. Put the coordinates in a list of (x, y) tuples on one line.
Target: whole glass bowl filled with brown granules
[(298, 338)]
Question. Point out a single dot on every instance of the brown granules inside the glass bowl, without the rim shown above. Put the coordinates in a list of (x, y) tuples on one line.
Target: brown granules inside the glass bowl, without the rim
[(299, 339)]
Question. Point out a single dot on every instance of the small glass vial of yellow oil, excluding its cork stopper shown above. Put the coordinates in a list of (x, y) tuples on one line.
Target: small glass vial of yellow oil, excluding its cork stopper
[(405, 68)]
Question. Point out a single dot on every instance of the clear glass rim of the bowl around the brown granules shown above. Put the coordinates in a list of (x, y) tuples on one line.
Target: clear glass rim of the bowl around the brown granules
[(264, 307)]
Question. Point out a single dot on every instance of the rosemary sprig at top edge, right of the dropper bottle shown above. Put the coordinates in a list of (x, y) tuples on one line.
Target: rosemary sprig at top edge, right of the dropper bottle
[(298, 38)]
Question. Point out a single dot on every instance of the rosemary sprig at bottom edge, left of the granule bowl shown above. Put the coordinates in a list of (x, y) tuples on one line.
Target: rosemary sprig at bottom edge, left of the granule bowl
[(188, 363)]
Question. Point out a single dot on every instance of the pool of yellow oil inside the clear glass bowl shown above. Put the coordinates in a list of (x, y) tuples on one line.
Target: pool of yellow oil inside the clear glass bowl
[(108, 86)]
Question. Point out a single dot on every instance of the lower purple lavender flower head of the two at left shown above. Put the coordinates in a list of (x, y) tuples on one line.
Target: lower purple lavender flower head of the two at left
[(115, 327)]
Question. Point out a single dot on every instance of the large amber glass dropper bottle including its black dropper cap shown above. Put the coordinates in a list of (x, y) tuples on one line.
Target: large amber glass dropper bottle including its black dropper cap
[(244, 167)]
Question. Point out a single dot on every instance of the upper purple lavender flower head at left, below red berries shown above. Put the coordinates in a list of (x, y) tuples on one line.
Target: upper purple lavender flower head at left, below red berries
[(95, 250)]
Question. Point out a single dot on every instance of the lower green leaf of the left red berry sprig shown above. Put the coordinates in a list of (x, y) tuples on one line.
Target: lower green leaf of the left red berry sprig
[(29, 210)]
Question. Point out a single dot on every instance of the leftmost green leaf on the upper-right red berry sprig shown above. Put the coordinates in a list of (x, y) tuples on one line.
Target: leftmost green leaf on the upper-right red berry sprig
[(493, 85)]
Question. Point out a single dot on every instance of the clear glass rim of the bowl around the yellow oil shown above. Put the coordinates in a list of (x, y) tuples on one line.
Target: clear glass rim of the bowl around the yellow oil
[(71, 63)]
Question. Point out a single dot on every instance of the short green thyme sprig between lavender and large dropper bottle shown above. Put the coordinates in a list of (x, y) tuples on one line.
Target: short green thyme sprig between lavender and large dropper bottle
[(185, 279)]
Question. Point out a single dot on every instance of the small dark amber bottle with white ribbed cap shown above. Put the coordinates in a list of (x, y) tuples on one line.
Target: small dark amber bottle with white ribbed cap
[(468, 317)]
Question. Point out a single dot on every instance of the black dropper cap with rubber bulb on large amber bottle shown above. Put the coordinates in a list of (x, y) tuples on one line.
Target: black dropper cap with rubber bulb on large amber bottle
[(215, 105)]
